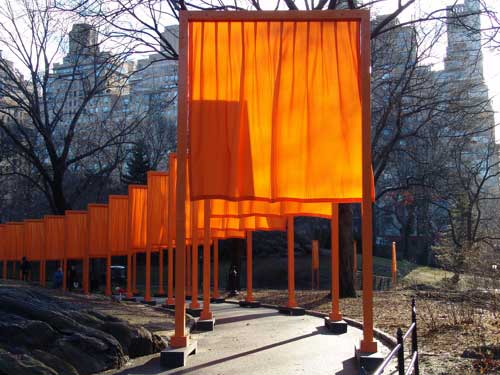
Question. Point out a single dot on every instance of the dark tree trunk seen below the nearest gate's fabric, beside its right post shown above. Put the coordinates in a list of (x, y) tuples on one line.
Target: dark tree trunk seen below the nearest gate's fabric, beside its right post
[(347, 288)]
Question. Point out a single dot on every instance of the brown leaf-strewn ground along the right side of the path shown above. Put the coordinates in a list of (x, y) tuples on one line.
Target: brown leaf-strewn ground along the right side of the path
[(449, 324)]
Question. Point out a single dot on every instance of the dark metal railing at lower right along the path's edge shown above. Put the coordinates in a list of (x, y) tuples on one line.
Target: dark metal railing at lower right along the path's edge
[(399, 349)]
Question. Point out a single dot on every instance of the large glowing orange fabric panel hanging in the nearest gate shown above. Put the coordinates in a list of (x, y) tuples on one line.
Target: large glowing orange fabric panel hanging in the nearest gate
[(275, 110)]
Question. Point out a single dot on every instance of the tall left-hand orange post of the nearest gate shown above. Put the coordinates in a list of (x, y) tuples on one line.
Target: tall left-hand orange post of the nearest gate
[(180, 339)]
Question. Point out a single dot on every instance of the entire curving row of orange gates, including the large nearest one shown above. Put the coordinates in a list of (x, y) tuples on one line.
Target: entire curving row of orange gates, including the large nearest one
[(265, 133)]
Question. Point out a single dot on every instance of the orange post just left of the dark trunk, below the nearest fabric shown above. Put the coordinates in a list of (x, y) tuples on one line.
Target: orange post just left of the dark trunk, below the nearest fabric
[(335, 276)]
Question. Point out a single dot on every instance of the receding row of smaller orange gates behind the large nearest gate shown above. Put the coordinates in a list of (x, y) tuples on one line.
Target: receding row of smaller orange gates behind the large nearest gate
[(144, 221)]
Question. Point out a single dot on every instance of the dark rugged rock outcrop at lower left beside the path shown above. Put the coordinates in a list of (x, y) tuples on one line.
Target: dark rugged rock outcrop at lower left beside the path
[(44, 335)]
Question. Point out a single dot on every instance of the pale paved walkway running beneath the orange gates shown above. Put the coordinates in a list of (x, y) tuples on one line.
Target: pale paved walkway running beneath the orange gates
[(262, 341)]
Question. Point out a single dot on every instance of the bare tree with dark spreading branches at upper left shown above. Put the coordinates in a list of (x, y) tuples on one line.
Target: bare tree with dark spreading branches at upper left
[(50, 119)]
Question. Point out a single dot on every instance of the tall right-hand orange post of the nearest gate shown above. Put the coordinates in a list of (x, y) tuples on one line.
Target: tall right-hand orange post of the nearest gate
[(367, 345)]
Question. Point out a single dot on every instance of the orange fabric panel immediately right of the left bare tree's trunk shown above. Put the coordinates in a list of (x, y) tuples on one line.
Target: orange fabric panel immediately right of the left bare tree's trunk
[(76, 234)]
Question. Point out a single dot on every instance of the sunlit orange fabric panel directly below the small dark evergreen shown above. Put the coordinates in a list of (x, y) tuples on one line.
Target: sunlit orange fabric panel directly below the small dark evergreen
[(138, 205)]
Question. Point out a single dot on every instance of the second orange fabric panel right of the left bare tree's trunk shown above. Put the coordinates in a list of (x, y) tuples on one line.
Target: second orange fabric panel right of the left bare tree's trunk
[(98, 229)]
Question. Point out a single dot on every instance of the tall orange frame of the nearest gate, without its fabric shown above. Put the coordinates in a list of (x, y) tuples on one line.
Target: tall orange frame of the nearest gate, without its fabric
[(180, 338)]
